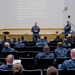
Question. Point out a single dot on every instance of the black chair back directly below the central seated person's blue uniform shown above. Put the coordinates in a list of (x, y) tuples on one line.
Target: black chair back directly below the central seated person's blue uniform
[(44, 63)]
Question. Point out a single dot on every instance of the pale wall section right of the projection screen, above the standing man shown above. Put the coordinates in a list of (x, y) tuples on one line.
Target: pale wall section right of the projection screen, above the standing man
[(70, 4)]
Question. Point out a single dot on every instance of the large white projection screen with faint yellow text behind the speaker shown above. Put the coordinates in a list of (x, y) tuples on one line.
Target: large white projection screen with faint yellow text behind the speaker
[(17, 14)]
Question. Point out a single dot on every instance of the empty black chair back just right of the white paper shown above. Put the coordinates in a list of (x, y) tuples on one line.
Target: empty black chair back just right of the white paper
[(28, 63)]
